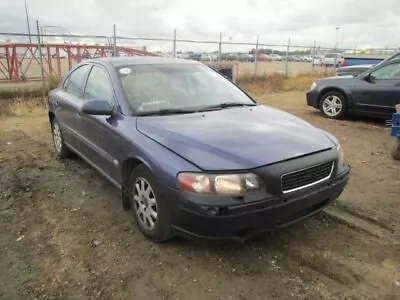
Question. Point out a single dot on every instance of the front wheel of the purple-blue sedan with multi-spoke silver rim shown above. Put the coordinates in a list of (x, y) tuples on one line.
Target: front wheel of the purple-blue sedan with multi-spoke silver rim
[(149, 210)]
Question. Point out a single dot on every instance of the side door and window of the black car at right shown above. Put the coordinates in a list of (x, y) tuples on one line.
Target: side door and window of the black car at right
[(380, 92)]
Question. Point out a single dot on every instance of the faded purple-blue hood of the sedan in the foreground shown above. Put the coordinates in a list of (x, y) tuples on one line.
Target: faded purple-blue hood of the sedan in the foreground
[(235, 138)]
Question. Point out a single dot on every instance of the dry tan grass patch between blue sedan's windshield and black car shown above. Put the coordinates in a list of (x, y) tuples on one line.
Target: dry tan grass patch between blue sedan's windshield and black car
[(276, 82)]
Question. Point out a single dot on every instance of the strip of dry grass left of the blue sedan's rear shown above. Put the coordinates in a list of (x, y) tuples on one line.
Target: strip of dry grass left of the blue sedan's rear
[(23, 107)]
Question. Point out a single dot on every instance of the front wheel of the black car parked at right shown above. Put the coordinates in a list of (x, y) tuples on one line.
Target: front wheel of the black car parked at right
[(333, 105)]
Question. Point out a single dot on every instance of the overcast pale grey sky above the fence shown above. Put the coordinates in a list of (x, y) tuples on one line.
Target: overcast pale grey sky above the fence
[(361, 23)]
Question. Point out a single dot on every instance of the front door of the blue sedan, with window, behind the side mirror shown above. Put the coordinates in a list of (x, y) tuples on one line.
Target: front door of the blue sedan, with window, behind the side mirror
[(101, 144)]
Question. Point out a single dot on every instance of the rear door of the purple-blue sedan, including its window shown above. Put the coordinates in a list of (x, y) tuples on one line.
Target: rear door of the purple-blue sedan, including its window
[(68, 101)]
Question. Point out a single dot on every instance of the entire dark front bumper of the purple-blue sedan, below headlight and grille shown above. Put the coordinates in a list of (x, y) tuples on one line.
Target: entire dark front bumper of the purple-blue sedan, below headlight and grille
[(240, 222)]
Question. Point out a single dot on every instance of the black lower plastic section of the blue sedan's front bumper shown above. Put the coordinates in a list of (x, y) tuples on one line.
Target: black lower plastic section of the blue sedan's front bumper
[(254, 222)]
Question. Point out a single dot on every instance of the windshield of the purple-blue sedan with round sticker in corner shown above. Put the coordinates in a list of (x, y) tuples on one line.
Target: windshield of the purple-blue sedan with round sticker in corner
[(176, 88)]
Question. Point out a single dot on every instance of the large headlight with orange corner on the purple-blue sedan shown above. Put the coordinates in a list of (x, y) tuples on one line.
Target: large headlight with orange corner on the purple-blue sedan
[(219, 184)]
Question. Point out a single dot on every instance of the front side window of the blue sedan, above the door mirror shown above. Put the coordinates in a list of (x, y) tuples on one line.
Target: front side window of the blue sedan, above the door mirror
[(98, 86)]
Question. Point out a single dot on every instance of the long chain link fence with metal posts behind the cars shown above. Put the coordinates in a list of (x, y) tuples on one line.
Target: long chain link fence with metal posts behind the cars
[(28, 57)]
